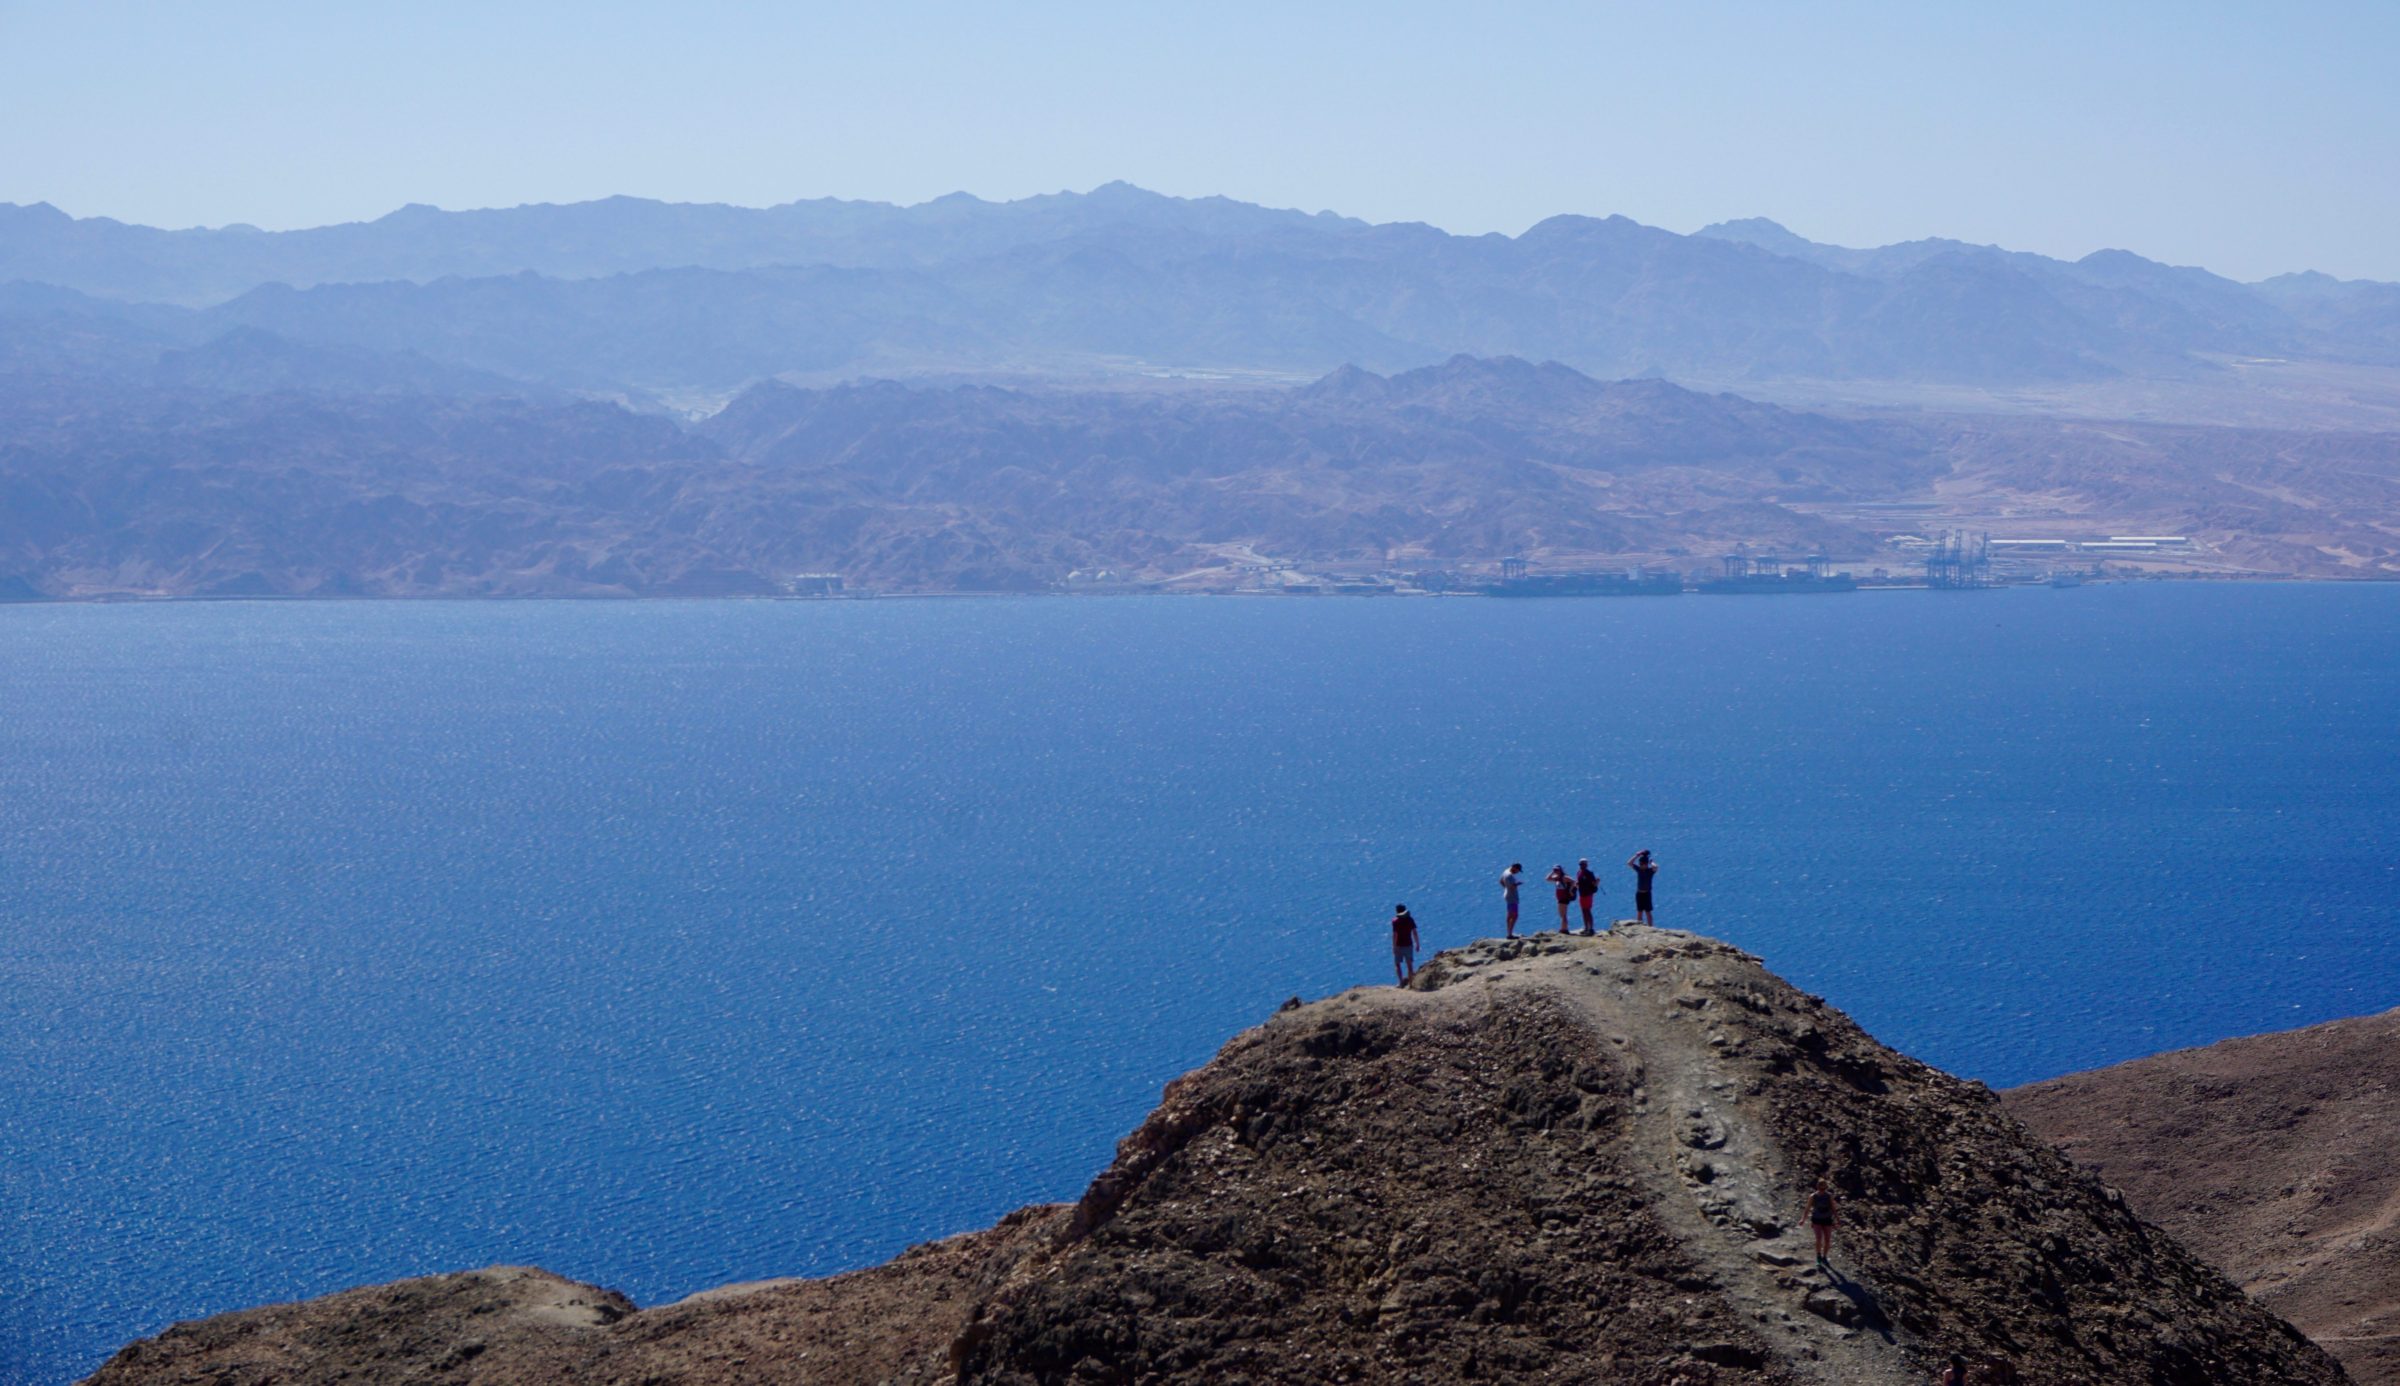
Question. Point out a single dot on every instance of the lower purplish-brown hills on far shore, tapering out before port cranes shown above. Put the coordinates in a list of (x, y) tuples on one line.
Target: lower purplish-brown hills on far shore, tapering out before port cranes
[(282, 493)]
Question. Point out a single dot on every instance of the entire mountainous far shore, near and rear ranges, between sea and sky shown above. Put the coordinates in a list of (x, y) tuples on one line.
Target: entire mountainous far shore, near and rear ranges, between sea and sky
[(637, 399)]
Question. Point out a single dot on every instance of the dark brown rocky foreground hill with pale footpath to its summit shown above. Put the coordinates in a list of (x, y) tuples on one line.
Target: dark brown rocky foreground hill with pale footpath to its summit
[(1544, 1162)]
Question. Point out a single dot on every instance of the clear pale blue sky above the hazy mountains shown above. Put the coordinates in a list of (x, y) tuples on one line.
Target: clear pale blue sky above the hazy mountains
[(2245, 138)]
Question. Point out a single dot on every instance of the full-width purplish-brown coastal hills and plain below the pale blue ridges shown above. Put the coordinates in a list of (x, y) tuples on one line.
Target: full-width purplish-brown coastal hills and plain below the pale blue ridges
[(217, 476)]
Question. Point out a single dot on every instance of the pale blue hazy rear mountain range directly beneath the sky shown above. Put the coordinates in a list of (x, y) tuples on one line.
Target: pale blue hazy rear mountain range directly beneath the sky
[(671, 301)]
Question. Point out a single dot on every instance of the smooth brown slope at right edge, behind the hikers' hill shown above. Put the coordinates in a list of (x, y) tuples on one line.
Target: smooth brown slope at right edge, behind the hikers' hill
[(2272, 1157)]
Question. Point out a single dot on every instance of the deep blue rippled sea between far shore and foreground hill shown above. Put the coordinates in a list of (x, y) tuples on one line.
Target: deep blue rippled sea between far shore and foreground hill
[(688, 944)]
